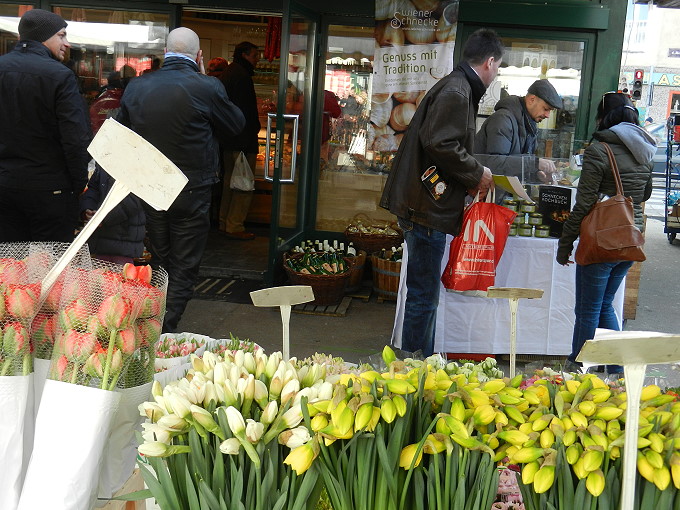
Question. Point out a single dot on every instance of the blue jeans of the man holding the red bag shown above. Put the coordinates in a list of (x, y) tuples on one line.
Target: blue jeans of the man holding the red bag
[(423, 274)]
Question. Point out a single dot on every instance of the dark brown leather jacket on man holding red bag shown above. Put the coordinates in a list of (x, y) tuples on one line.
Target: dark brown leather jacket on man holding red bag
[(441, 133)]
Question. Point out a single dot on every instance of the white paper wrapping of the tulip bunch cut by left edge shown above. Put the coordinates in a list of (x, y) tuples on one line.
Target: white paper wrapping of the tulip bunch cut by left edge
[(13, 414)]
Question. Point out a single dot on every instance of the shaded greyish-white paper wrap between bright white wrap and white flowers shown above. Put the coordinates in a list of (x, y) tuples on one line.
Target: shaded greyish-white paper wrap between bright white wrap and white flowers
[(120, 454)]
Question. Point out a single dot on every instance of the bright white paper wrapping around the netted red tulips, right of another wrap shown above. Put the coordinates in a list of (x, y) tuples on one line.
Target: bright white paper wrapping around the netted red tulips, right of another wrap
[(71, 432)]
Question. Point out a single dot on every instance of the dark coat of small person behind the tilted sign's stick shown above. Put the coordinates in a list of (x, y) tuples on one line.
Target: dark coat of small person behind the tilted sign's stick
[(122, 231)]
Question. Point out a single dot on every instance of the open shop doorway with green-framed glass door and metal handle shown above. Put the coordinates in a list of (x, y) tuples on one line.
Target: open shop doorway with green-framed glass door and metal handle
[(289, 87)]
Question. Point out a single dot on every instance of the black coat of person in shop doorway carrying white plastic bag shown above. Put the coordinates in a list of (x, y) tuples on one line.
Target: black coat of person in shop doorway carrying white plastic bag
[(238, 81)]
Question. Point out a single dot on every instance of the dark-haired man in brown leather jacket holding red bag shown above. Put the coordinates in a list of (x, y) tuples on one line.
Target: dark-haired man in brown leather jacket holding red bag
[(440, 134)]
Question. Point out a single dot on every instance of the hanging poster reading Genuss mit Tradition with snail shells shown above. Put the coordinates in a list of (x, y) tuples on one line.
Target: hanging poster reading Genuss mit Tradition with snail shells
[(414, 49)]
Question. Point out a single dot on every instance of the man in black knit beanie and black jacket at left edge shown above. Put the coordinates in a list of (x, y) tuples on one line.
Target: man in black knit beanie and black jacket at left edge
[(44, 135)]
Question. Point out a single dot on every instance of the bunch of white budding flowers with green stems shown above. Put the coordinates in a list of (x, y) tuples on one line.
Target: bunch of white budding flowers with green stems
[(218, 437)]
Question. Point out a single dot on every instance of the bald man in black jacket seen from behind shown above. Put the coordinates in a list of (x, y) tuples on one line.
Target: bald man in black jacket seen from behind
[(184, 114)]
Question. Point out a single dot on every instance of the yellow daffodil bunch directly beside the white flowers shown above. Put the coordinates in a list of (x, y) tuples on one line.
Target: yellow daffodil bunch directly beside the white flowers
[(371, 437)]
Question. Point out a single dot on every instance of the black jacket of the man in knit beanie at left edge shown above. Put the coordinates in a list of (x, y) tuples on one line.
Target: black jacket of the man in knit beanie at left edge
[(44, 127)]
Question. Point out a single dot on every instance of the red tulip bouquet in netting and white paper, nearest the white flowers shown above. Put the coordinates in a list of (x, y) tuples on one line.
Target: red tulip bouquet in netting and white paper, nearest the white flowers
[(104, 321)]
